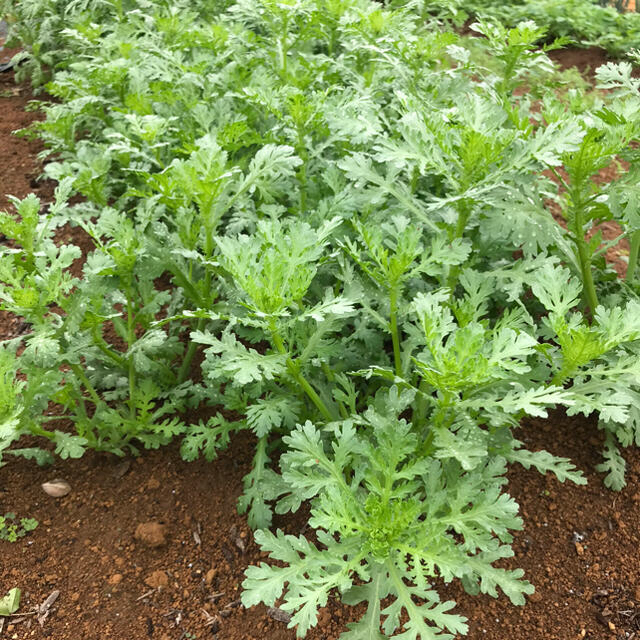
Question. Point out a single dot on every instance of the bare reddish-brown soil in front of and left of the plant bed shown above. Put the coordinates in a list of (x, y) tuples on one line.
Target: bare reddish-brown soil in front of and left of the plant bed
[(579, 546)]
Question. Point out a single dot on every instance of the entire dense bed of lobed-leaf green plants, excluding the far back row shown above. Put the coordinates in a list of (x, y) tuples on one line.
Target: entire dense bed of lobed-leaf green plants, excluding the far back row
[(344, 210)]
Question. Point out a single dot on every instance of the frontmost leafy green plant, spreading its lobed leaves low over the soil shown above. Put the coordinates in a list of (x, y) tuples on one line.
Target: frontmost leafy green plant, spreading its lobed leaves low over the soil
[(387, 520)]
